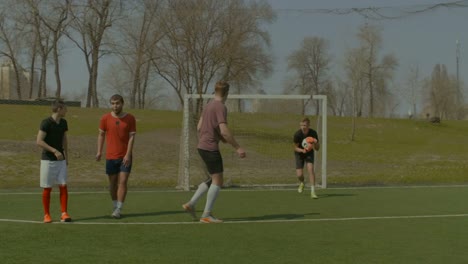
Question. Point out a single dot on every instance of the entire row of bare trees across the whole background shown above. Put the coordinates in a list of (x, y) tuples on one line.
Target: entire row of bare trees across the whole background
[(186, 45)]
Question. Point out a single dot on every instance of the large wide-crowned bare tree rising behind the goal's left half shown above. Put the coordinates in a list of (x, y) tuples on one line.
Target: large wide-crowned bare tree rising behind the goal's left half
[(207, 40)]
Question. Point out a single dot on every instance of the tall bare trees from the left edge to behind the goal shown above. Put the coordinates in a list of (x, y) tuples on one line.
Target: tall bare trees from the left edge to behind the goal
[(186, 44)]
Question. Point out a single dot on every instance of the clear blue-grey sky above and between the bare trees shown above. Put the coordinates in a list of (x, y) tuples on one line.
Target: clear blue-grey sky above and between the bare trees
[(424, 40)]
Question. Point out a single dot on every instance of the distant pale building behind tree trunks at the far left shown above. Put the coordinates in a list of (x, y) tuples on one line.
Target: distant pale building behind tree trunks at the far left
[(8, 83)]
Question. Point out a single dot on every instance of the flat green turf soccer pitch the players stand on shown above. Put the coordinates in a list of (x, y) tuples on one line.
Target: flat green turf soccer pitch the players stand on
[(364, 225)]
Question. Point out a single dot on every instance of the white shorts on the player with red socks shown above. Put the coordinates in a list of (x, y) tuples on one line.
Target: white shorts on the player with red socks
[(53, 172)]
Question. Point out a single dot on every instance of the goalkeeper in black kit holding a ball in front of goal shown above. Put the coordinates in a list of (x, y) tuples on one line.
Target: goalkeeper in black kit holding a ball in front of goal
[(304, 156)]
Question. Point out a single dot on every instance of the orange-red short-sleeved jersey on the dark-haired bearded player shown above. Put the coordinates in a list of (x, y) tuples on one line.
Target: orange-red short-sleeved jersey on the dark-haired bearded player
[(118, 132)]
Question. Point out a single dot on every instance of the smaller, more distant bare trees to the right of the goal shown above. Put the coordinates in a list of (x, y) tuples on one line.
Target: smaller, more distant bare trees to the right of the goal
[(367, 89)]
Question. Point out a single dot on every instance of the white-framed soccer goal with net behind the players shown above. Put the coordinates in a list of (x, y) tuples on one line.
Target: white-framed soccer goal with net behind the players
[(264, 126)]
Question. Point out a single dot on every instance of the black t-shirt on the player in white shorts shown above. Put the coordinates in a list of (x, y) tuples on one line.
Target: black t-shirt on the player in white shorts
[(54, 136)]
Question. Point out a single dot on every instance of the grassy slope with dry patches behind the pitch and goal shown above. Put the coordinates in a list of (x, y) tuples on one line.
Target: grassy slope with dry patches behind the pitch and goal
[(385, 151)]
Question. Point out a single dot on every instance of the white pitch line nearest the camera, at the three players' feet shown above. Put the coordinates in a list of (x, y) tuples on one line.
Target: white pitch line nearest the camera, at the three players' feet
[(255, 221)]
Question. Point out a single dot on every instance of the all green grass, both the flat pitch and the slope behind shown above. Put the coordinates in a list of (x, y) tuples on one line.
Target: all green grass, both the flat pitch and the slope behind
[(402, 224)]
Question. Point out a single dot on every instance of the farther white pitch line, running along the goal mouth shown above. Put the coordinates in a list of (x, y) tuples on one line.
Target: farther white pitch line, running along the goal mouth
[(254, 189)]
